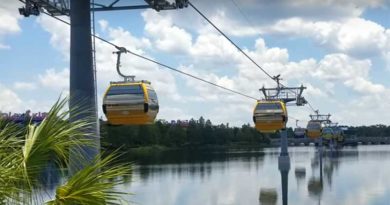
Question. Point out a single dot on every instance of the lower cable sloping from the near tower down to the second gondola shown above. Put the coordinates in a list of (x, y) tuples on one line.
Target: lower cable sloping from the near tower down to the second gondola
[(160, 64)]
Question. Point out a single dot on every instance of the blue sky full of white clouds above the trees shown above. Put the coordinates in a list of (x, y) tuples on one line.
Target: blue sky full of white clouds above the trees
[(340, 50)]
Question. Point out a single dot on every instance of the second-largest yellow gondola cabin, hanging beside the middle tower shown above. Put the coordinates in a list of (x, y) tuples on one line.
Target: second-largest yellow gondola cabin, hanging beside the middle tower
[(270, 116)]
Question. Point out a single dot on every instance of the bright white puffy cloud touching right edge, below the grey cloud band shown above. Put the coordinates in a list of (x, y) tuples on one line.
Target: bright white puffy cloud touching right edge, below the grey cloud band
[(354, 36)]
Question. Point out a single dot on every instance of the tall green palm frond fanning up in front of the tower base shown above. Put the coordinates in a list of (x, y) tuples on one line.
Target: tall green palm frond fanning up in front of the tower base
[(52, 139)]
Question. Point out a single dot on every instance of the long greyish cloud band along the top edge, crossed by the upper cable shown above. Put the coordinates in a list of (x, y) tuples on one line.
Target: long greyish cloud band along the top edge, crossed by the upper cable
[(228, 17)]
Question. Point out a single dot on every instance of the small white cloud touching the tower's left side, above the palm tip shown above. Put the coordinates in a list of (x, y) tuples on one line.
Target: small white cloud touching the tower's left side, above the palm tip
[(56, 80)]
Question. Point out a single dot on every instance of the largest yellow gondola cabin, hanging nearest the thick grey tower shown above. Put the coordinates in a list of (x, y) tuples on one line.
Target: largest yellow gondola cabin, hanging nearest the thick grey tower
[(130, 103)]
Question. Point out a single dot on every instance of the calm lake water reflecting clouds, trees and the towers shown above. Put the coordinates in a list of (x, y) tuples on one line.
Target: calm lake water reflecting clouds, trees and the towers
[(359, 175)]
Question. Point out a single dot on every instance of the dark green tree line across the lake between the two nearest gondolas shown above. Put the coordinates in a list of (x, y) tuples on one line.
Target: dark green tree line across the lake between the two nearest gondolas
[(194, 133)]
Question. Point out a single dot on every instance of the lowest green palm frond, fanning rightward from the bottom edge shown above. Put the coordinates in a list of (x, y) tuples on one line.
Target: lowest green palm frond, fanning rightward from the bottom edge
[(94, 184)]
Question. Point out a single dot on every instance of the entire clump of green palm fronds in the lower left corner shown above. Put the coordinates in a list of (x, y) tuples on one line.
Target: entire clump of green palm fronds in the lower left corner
[(26, 152)]
